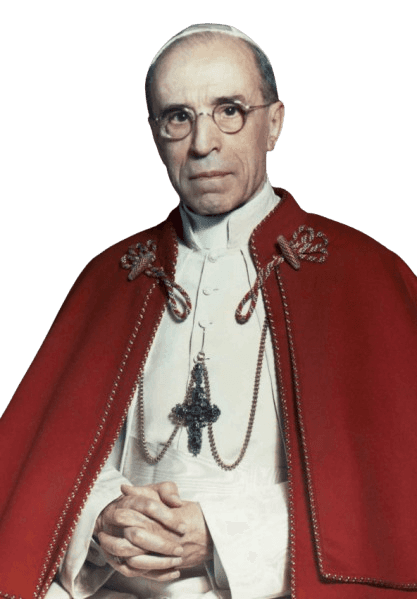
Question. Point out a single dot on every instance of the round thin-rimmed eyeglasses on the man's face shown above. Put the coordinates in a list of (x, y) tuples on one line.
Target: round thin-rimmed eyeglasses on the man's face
[(178, 122)]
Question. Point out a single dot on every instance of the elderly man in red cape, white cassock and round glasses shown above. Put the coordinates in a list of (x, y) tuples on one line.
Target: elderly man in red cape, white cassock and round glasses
[(225, 405)]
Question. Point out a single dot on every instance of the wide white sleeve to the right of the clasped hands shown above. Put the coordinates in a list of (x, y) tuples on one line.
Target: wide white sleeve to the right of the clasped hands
[(250, 535)]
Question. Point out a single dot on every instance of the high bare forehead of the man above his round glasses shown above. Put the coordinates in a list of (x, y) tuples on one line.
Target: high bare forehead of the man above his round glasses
[(202, 70)]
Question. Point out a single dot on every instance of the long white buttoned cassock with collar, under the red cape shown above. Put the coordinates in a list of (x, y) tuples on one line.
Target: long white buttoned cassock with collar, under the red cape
[(245, 509)]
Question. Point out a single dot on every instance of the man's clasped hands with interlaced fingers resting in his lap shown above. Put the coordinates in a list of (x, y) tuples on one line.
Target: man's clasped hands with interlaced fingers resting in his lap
[(154, 532)]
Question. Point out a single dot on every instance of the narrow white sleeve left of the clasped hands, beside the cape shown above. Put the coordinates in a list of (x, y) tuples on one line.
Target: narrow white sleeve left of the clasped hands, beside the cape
[(84, 569)]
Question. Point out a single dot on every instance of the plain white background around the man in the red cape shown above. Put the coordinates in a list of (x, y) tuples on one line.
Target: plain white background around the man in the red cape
[(78, 167)]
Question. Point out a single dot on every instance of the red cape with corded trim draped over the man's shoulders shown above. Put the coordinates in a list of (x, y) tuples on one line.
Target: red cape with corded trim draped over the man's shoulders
[(345, 335)]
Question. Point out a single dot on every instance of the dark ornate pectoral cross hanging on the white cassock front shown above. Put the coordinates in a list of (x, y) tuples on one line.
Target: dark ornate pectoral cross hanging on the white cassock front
[(198, 412)]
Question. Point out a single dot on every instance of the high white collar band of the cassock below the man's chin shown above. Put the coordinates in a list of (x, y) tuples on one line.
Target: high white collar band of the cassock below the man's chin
[(231, 230)]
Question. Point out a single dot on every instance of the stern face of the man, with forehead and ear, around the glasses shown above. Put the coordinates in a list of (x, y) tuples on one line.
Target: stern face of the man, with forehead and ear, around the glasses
[(197, 75)]
